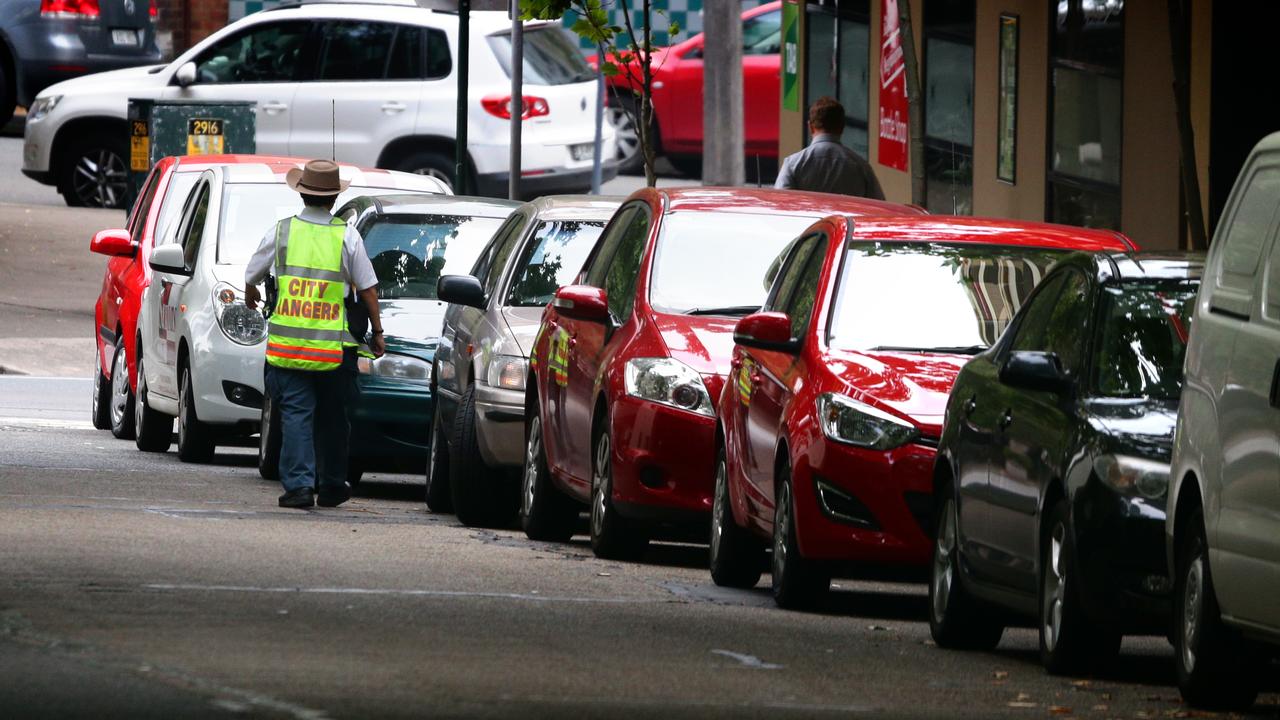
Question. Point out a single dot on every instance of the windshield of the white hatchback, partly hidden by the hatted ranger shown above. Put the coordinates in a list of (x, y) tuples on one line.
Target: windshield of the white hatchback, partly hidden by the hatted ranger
[(253, 208)]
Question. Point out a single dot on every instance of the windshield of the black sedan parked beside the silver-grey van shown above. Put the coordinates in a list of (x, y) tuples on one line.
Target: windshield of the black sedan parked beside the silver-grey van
[(1142, 340)]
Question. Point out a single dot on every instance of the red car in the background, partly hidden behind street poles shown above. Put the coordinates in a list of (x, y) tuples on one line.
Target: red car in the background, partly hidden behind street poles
[(678, 95)]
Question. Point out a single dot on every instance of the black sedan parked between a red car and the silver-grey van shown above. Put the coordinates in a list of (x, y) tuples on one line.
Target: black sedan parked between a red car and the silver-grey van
[(1054, 464)]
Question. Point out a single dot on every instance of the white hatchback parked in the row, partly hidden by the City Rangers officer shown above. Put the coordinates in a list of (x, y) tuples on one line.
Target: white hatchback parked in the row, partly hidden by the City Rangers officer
[(202, 348)]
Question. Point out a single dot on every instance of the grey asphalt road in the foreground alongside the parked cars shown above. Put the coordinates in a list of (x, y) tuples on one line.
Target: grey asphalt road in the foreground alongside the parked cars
[(134, 586)]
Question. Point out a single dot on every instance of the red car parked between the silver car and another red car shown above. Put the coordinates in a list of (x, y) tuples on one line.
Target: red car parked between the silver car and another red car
[(628, 361)]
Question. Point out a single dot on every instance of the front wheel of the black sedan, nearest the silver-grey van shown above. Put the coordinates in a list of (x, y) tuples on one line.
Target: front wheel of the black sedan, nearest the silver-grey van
[(1069, 641)]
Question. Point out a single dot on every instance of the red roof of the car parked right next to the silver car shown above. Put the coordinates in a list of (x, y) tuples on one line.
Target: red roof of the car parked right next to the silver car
[(769, 202)]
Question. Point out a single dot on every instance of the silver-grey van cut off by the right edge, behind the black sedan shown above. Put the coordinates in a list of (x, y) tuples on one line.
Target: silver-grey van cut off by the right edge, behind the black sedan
[(1223, 535)]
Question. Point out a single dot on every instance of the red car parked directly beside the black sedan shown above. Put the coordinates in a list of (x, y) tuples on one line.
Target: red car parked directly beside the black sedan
[(830, 421)]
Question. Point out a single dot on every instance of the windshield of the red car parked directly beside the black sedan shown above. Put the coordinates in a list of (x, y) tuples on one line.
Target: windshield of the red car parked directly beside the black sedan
[(932, 298)]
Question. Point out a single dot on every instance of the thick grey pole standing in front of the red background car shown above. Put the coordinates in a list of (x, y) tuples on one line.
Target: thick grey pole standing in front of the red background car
[(723, 94)]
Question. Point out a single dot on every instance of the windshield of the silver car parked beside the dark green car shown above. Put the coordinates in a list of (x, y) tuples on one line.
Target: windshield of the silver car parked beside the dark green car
[(551, 261)]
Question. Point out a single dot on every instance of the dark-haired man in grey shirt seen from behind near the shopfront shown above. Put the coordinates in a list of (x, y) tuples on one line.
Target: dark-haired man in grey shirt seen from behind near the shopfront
[(828, 166)]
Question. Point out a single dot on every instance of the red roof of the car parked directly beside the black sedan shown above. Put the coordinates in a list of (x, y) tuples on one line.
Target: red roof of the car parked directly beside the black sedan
[(988, 231)]
